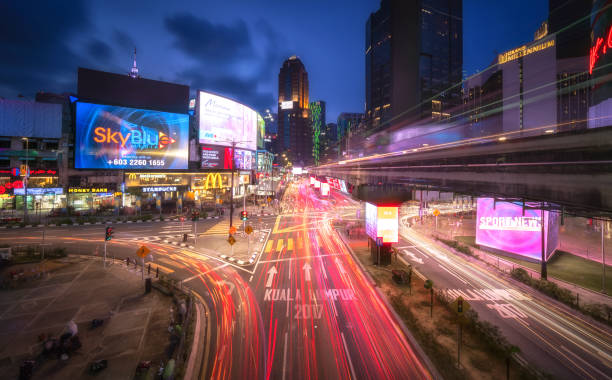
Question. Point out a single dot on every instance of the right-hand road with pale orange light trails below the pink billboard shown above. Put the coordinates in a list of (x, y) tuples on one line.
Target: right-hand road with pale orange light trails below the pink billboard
[(554, 339)]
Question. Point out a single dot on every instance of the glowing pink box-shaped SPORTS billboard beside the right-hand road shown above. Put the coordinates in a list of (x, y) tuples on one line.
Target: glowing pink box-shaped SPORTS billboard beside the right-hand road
[(507, 227)]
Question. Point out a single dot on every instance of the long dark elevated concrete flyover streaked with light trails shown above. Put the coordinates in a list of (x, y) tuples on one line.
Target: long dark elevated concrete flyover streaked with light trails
[(570, 169)]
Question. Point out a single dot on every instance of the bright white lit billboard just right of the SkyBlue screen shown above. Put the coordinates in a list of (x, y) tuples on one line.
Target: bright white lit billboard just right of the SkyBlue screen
[(222, 121)]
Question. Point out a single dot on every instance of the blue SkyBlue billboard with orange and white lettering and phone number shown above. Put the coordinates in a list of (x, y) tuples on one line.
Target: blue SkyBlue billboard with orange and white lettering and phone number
[(111, 137)]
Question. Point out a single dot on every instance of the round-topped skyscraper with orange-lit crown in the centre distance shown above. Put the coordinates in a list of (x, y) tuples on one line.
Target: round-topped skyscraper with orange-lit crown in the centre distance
[(294, 131)]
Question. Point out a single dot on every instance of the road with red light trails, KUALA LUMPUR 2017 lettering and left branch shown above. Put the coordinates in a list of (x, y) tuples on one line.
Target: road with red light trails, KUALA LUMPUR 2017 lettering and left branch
[(303, 310)]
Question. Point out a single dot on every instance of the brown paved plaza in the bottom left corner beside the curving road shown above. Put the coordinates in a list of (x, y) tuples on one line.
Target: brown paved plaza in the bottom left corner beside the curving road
[(135, 324)]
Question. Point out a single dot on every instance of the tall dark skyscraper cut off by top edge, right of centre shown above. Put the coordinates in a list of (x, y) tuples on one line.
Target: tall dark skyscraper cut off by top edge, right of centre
[(414, 59)]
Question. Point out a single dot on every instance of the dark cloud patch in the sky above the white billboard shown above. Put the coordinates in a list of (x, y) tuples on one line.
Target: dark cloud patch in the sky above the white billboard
[(205, 41)]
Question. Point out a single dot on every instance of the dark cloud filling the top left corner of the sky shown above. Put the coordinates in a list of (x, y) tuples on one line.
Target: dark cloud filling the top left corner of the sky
[(35, 45)]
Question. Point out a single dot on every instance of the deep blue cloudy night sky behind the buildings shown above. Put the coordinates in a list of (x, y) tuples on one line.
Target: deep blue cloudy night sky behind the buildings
[(232, 47)]
